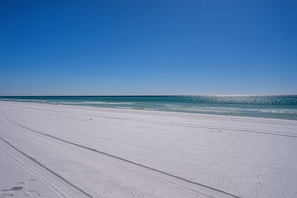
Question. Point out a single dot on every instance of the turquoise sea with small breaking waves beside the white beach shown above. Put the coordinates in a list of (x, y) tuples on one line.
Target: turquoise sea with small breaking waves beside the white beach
[(283, 107)]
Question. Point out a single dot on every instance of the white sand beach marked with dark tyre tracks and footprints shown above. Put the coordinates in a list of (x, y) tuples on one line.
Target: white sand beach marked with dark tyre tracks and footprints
[(75, 151)]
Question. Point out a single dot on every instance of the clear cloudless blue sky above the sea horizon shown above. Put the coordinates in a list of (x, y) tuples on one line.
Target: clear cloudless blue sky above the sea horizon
[(136, 47)]
